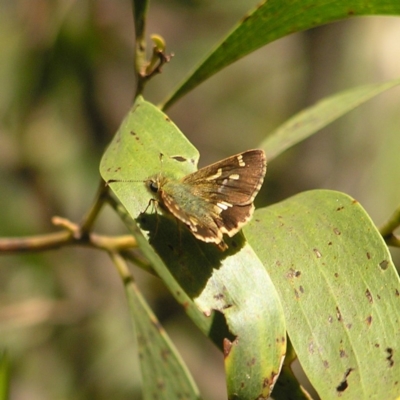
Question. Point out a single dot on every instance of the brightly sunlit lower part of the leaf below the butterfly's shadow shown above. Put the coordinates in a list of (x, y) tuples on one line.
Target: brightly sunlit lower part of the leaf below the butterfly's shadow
[(243, 292)]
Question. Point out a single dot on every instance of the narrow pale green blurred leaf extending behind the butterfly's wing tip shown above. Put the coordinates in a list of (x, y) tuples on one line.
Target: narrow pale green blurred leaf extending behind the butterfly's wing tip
[(314, 118)]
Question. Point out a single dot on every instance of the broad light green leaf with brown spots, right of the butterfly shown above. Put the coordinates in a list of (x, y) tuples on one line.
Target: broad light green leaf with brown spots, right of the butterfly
[(339, 289)]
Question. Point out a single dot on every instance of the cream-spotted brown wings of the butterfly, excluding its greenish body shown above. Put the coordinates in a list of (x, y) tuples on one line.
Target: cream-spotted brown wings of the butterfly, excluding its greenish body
[(227, 189)]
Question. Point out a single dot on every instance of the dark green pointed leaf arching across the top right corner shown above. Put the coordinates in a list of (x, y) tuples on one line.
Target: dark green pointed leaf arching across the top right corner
[(274, 19)]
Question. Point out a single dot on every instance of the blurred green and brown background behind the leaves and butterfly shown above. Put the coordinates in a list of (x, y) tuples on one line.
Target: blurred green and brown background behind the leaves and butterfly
[(66, 82)]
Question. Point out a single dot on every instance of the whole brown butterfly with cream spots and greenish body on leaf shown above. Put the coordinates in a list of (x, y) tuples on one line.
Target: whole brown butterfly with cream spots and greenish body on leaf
[(217, 199)]
